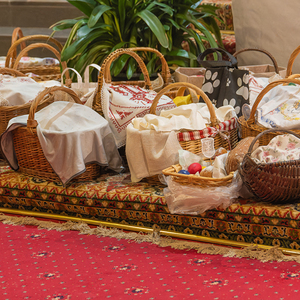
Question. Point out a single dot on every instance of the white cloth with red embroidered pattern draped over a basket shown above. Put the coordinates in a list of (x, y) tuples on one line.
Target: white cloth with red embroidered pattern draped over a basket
[(122, 103)]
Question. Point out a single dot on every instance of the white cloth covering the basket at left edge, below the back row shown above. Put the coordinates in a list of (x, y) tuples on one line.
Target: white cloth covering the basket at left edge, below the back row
[(17, 90)]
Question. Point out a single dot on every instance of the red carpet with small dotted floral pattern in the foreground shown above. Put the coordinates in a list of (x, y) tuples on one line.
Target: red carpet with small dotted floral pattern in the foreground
[(41, 264)]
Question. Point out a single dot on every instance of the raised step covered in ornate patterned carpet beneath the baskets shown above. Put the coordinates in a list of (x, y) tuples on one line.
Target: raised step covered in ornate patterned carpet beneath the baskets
[(114, 199)]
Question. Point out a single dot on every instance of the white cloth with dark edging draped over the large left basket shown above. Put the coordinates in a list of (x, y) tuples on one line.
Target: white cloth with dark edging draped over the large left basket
[(71, 135)]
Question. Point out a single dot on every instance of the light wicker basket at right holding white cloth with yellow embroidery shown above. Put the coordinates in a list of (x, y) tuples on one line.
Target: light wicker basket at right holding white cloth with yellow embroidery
[(250, 128)]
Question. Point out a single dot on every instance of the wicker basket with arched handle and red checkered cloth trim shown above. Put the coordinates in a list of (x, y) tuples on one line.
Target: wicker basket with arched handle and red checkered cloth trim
[(195, 146)]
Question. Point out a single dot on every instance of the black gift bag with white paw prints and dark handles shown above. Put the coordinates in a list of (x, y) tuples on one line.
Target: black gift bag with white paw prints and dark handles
[(224, 83)]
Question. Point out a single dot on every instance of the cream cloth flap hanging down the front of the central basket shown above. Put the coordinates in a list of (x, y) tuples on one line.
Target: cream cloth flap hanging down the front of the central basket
[(149, 152)]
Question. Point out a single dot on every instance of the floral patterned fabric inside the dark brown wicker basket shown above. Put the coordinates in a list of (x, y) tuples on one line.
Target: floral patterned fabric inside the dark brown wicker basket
[(281, 148)]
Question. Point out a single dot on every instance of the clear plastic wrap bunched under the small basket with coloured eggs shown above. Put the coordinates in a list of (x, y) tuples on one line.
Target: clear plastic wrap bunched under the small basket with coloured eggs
[(192, 200)]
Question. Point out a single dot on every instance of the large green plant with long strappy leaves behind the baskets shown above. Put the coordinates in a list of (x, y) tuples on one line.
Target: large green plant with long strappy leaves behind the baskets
[(162, 24)]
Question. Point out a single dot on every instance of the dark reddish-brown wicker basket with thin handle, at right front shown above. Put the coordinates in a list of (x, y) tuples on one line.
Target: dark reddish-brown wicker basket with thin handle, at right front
[(272, 182)]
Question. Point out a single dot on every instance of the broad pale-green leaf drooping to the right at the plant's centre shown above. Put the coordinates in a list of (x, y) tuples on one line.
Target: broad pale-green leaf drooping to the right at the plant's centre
[(155, 25)]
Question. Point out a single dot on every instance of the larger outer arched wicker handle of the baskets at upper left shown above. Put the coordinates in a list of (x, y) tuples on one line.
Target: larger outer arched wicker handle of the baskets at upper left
[(10, 53)]
